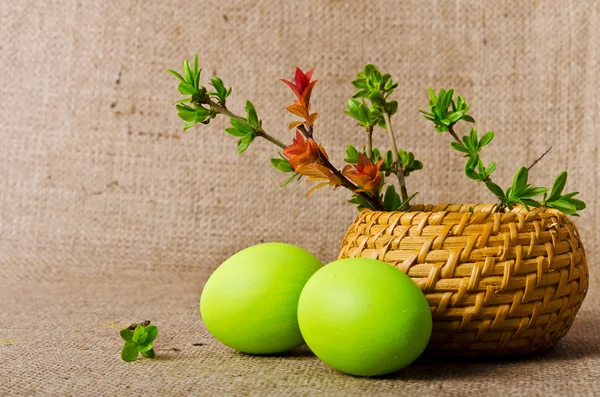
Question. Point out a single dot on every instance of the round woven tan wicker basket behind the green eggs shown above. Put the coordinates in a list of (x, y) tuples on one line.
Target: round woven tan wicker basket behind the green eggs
[(497, 283)]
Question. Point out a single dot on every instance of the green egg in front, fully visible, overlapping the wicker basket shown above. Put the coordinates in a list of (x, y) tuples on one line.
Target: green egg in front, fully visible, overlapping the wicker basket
[(364, 317)]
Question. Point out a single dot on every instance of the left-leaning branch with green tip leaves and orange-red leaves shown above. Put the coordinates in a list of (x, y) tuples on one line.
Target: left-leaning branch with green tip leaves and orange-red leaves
[(201, 105)]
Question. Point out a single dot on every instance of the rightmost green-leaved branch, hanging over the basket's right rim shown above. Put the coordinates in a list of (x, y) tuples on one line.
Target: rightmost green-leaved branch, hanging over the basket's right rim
[(444, 112)]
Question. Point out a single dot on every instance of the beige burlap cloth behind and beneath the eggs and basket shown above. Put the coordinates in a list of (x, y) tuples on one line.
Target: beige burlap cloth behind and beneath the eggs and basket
[(110, 214)]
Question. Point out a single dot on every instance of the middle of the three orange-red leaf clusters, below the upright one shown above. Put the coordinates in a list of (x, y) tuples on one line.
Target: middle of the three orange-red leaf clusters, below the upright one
[(306, 158)]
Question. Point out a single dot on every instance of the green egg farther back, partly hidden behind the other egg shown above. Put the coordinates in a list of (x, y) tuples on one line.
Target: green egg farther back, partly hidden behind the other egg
[(250, 302)]
